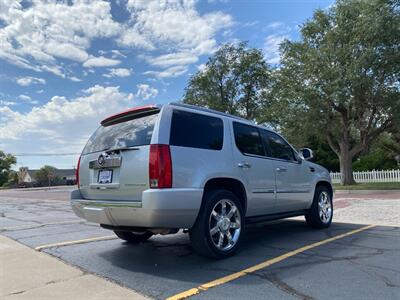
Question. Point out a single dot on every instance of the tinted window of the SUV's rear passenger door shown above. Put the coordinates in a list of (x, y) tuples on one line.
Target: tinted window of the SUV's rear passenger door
[(248, 139)]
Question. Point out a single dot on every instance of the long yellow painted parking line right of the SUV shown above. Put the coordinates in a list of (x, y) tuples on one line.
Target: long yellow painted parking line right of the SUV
[(214, 283)]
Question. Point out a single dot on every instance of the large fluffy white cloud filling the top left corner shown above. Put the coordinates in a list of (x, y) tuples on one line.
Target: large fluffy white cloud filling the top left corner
[(35, 35)]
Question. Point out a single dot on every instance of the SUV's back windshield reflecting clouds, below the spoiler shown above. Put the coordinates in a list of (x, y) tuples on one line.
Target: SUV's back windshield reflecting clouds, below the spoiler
[(131, 133)]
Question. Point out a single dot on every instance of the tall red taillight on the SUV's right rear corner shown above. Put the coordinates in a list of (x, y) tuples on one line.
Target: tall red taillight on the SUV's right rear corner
[(160, 167)]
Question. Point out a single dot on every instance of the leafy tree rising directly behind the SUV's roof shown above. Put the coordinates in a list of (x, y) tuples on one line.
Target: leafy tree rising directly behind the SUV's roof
[(234, 80)]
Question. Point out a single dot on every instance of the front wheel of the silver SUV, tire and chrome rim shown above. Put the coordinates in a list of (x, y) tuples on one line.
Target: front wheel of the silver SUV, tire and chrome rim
[(321, 212)]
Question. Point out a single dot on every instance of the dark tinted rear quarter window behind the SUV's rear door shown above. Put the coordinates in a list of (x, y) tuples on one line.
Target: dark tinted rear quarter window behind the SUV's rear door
[(196, 131)]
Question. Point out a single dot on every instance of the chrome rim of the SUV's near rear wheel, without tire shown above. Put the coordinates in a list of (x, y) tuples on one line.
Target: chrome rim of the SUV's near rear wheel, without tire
[(225, 224)]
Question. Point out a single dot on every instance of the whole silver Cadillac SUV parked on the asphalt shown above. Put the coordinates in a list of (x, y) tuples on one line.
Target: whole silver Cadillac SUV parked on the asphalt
[(157, 169)]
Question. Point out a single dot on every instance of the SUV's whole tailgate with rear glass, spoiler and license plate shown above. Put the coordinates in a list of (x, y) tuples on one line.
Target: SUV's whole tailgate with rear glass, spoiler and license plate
[(114, 164)]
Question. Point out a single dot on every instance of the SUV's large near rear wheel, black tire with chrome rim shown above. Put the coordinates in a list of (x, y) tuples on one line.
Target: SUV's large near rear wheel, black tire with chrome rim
[(219, 227)]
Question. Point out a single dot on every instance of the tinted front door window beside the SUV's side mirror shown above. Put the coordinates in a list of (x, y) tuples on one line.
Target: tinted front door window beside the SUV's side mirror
[(277, 146)]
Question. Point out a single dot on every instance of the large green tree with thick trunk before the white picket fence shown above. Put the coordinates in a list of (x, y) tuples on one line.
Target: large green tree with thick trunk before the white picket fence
[(341, 80)]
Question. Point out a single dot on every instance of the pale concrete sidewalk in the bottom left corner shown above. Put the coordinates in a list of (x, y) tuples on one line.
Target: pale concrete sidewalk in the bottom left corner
[(28, 274)]
